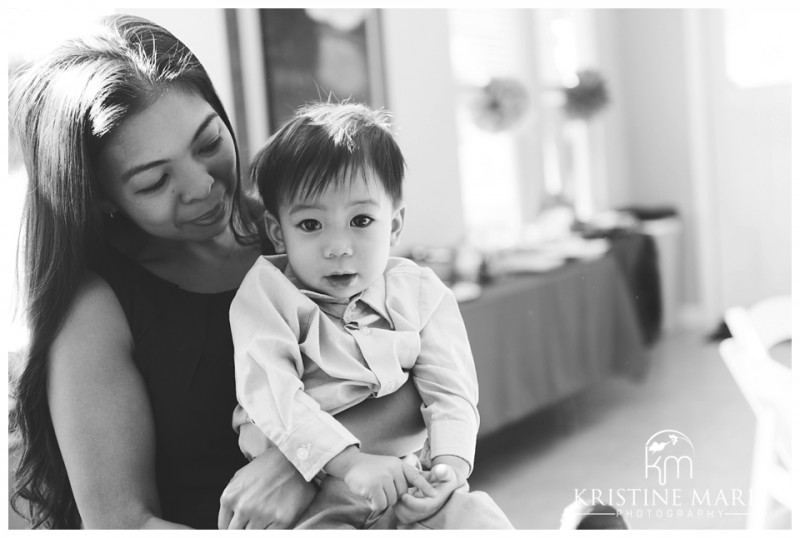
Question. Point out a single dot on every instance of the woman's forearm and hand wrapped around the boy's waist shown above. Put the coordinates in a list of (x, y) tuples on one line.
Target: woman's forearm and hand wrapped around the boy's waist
[(270, 493)]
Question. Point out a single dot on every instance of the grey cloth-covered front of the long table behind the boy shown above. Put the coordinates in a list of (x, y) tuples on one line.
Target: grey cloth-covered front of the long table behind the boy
[(537, 339)]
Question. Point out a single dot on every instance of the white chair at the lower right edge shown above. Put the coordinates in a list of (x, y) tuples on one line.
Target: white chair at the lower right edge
[(766, 384)]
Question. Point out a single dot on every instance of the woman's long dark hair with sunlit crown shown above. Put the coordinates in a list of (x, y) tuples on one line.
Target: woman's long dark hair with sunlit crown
[(61, 109)]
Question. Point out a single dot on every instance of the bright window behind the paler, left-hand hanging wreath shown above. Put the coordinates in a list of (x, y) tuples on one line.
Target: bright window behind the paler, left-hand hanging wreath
[(489, 44)]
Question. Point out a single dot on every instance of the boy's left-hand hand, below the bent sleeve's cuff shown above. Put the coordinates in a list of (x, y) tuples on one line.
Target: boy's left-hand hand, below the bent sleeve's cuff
[(379, 479)]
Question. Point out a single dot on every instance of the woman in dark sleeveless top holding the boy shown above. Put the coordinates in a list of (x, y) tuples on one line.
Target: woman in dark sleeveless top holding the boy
[(137, 233)]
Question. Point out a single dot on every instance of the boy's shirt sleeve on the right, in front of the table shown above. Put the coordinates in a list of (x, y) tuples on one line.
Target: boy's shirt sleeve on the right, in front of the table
[(444, 373)]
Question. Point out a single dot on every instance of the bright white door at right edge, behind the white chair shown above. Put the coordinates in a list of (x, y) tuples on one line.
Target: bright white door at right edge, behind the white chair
[(746, 177)]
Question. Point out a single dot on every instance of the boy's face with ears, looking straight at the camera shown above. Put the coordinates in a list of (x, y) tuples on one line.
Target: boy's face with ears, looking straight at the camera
[(338, 244)]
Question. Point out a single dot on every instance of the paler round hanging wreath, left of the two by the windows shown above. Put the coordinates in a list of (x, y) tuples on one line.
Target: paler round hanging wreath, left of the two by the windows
[(499, 105)]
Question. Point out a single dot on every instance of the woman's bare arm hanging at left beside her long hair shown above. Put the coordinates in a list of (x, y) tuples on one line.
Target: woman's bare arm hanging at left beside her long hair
[(101, 414)]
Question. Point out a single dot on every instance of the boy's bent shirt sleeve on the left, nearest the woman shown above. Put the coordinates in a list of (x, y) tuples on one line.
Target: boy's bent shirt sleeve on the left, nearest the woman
[(267, 318)]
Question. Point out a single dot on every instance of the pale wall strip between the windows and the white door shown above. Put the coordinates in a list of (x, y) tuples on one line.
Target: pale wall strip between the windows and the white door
[(653, 99)]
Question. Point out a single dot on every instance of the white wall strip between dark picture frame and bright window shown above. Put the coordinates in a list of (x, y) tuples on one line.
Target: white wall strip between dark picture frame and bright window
[(420, 94)]
